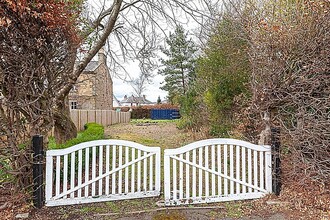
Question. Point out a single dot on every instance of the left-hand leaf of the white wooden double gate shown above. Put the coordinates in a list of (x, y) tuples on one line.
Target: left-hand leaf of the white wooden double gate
[(102, 170)]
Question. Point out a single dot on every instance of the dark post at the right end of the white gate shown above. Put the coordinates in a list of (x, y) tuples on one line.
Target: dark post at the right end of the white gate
[(276, 162)]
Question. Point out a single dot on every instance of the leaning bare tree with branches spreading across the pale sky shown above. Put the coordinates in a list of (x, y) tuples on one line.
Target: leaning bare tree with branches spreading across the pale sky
[(134, 26)]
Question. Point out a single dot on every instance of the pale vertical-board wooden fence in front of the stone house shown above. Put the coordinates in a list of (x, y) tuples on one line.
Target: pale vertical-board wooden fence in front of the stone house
[(103, 117)]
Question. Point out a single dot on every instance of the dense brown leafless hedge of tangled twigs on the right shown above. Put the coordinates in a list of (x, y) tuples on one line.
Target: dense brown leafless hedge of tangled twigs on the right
[(290, 81)]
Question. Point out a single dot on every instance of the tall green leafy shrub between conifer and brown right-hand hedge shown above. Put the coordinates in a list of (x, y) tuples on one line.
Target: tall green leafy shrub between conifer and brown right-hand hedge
[(226, 70)]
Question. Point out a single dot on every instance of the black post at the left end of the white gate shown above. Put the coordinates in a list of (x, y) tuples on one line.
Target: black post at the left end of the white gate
[(38, 190)]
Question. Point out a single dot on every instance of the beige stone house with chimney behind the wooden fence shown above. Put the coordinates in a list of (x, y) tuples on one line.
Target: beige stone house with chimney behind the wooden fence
[(94, 87)]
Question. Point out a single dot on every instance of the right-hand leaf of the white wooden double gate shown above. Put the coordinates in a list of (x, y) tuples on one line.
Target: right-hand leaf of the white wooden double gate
[(216, 170)]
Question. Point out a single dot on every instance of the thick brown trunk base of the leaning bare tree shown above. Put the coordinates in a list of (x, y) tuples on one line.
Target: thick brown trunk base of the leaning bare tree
[(65, 129)]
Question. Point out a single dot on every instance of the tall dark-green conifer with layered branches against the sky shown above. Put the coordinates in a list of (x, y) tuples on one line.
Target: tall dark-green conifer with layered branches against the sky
[(179, 67)]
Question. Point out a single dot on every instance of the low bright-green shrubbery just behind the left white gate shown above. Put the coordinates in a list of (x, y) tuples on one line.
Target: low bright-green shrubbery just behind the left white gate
[(93, 131)]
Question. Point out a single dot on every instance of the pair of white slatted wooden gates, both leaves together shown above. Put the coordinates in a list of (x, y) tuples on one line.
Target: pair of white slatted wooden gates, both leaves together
[(205, 171)]
